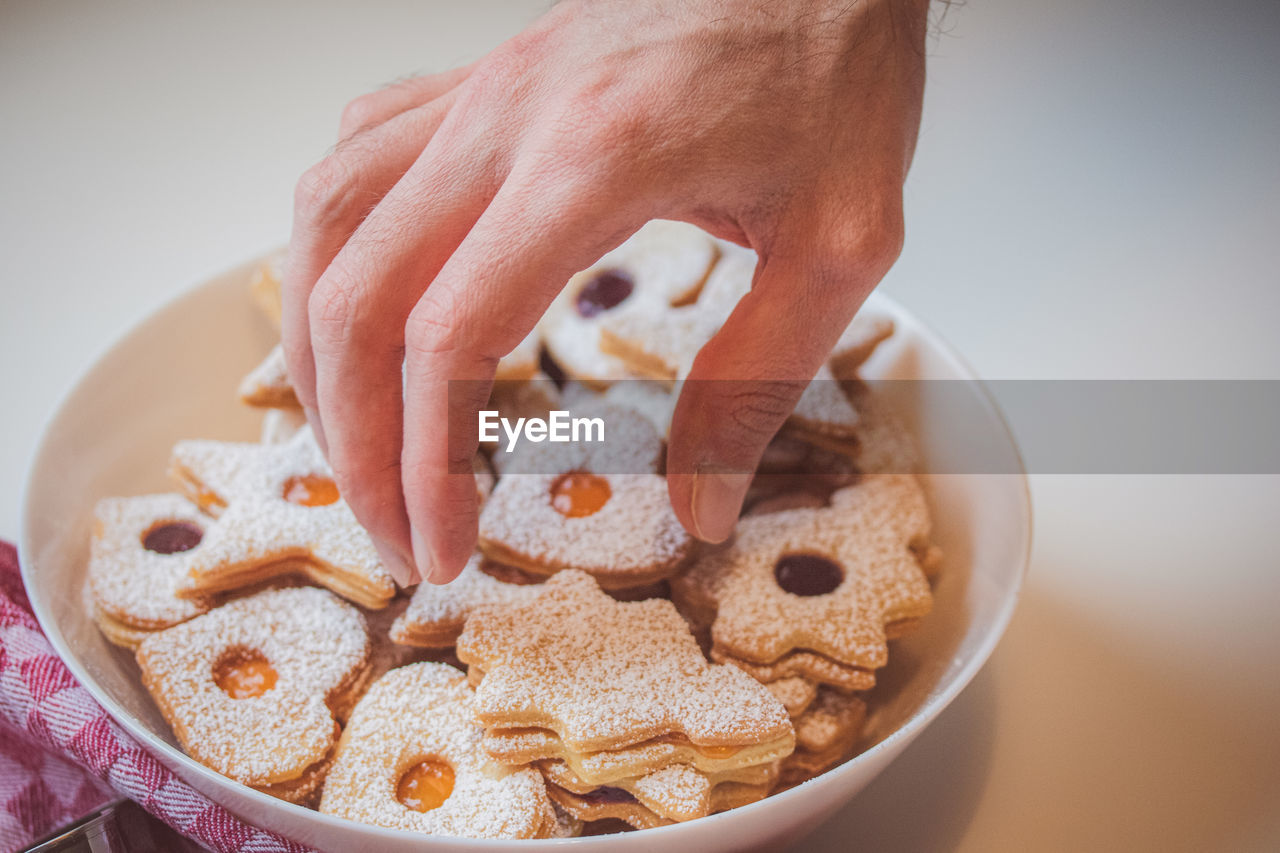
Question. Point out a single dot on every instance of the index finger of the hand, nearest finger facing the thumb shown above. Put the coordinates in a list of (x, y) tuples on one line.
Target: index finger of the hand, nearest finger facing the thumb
[(531, 241)]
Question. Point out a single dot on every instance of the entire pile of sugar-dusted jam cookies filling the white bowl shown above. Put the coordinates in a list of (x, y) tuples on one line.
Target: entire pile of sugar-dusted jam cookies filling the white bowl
[(593, 668)]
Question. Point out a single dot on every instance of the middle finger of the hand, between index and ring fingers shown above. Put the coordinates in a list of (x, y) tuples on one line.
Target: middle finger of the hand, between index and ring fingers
[(358, 314)]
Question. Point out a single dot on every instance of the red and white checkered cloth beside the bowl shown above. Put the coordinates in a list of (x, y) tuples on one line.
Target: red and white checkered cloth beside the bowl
[(61, 755)]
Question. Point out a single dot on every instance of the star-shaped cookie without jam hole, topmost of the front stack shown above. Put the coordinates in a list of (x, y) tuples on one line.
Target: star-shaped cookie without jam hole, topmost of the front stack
[(602, 676)]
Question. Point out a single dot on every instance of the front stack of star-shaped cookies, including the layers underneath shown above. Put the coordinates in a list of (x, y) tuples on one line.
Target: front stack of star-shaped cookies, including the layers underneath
[(615, 704)]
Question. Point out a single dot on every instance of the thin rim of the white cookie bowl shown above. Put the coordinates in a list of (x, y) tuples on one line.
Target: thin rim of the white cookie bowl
[(172, 755)]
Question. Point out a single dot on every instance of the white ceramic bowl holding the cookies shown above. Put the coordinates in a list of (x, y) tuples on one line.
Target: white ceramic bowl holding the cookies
[(176, 376)]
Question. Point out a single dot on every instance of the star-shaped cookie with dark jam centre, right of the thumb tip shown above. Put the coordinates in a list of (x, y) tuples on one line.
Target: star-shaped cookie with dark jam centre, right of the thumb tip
[(817, 592)]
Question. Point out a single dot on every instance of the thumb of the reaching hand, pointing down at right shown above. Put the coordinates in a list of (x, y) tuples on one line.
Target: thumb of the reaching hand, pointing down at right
[(748, 378)]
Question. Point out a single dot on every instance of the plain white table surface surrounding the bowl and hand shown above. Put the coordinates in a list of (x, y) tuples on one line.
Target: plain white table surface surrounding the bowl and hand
[(1096, 195)]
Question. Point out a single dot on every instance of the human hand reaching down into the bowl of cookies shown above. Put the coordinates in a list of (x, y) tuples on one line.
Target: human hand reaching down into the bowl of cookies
[(458, 206)]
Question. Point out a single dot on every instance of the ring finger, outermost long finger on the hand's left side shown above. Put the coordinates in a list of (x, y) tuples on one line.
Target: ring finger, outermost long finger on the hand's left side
[(333, 198)]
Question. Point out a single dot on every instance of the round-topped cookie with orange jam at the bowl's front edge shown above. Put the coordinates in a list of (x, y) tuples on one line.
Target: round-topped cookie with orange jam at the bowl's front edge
[(409, 760)]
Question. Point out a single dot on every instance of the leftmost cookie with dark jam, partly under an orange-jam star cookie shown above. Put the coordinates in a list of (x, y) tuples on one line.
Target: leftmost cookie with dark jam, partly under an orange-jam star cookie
[(139, 556)]
